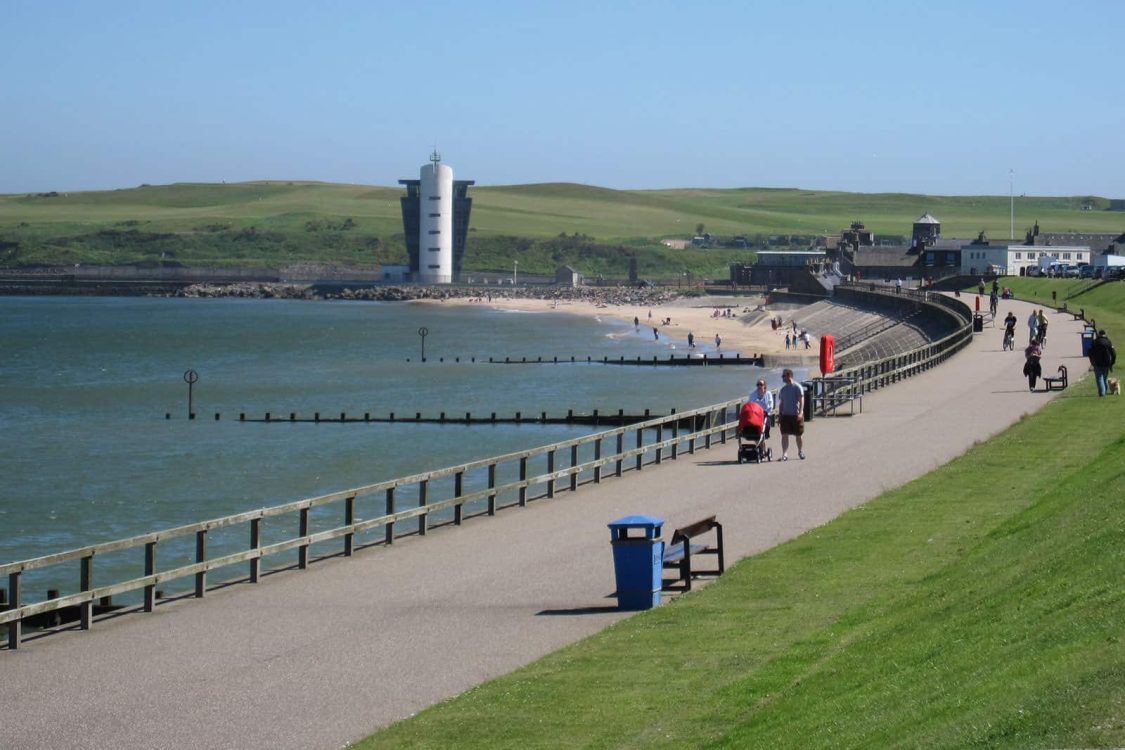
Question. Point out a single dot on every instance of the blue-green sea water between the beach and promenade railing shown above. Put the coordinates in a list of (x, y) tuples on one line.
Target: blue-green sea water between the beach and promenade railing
[(87, 455)]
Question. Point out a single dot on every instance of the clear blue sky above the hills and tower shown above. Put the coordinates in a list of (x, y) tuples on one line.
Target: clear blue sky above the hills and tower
[(880, 97)]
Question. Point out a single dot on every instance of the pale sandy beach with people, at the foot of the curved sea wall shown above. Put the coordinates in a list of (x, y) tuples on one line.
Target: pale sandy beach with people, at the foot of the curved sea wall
[(746, 332)]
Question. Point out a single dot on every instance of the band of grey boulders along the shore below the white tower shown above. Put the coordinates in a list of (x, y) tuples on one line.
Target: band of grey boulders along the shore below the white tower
[(606, 296)]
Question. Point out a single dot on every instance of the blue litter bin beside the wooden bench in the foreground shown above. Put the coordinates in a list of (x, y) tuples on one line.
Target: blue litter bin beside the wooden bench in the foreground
[(638, 559)]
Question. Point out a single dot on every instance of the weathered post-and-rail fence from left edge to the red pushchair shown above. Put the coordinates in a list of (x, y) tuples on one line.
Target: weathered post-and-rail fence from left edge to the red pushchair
[(631, 448)]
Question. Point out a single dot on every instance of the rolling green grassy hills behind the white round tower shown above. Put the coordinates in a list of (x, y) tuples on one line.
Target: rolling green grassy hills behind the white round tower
[(274, 224)]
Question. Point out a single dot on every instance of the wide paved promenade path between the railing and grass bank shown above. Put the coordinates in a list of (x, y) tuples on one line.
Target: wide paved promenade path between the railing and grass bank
[(318, 658)]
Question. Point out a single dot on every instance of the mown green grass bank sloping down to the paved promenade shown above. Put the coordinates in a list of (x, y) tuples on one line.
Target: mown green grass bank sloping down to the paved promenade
[(978, 607)]
